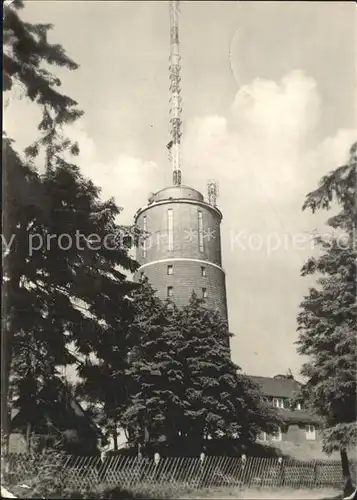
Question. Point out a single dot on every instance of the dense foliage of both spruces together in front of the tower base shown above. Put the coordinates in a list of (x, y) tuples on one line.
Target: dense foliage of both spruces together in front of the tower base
[(184, 387)]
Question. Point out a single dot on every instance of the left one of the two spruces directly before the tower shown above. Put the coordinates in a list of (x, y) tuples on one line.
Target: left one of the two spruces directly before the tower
[(155, 377)]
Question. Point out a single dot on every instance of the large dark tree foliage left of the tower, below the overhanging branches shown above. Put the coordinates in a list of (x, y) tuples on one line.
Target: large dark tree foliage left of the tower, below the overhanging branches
[(62, 300)]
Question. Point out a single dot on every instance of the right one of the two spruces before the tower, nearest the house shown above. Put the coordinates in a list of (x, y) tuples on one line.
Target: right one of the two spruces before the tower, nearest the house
[(221, 402)]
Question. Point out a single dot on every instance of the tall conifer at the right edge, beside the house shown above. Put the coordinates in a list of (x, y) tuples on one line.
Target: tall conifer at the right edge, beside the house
[(327, 321)]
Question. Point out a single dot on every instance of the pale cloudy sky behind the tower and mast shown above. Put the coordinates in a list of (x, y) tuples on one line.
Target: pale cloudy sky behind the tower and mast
[(269, 106)]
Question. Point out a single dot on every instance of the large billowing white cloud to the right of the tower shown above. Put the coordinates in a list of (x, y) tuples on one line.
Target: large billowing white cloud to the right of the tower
[(263, 150)]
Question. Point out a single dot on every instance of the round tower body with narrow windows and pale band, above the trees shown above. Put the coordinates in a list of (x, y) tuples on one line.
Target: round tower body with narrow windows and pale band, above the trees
[(182, 252)]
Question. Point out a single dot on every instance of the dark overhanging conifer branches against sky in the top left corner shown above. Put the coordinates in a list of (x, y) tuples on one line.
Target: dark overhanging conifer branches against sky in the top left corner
[(28, 60)]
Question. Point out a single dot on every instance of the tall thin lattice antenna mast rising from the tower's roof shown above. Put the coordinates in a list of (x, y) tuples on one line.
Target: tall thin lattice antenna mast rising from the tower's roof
[(175, 90)]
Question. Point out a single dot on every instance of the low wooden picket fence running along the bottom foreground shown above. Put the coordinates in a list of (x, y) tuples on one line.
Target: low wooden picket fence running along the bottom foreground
[(254, 472)]
